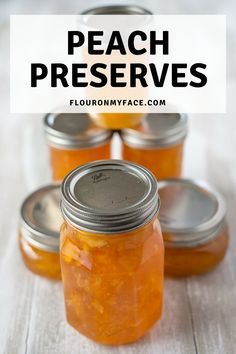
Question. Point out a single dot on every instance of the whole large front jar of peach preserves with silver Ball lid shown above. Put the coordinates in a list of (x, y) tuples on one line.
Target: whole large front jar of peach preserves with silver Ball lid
[(111, 251)]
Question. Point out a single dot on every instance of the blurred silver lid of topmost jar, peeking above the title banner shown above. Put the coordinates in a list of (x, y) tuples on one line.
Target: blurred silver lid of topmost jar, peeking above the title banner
[(117, 10)]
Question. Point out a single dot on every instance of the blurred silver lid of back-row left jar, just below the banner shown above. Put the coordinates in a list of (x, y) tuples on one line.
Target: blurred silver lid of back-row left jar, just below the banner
[(71, 130)]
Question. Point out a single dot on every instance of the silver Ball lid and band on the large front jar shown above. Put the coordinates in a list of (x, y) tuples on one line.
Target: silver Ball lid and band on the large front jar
[(109, 196)]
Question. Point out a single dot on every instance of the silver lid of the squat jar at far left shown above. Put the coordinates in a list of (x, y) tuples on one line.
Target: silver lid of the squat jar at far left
[(41, 218)]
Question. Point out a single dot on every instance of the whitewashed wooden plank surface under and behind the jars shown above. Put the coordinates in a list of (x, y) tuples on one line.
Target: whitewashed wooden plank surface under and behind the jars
[(199, 313)]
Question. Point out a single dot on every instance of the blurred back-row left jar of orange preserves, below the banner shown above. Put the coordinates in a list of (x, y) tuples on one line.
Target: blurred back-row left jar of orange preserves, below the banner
[(74, 140)]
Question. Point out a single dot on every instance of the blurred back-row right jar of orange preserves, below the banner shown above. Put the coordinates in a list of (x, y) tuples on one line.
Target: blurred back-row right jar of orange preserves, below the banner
[(157, 143)]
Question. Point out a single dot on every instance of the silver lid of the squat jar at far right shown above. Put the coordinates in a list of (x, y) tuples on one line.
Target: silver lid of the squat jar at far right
[(191, 213)]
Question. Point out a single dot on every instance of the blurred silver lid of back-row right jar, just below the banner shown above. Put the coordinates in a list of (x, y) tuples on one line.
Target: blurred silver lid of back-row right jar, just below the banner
[(157, 130)]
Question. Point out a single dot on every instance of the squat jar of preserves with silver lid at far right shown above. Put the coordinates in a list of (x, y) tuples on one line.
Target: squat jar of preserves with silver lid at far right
[(195, 233)]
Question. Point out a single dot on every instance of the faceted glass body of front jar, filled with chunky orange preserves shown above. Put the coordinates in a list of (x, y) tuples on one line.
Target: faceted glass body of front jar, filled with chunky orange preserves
[(113, 283)]
